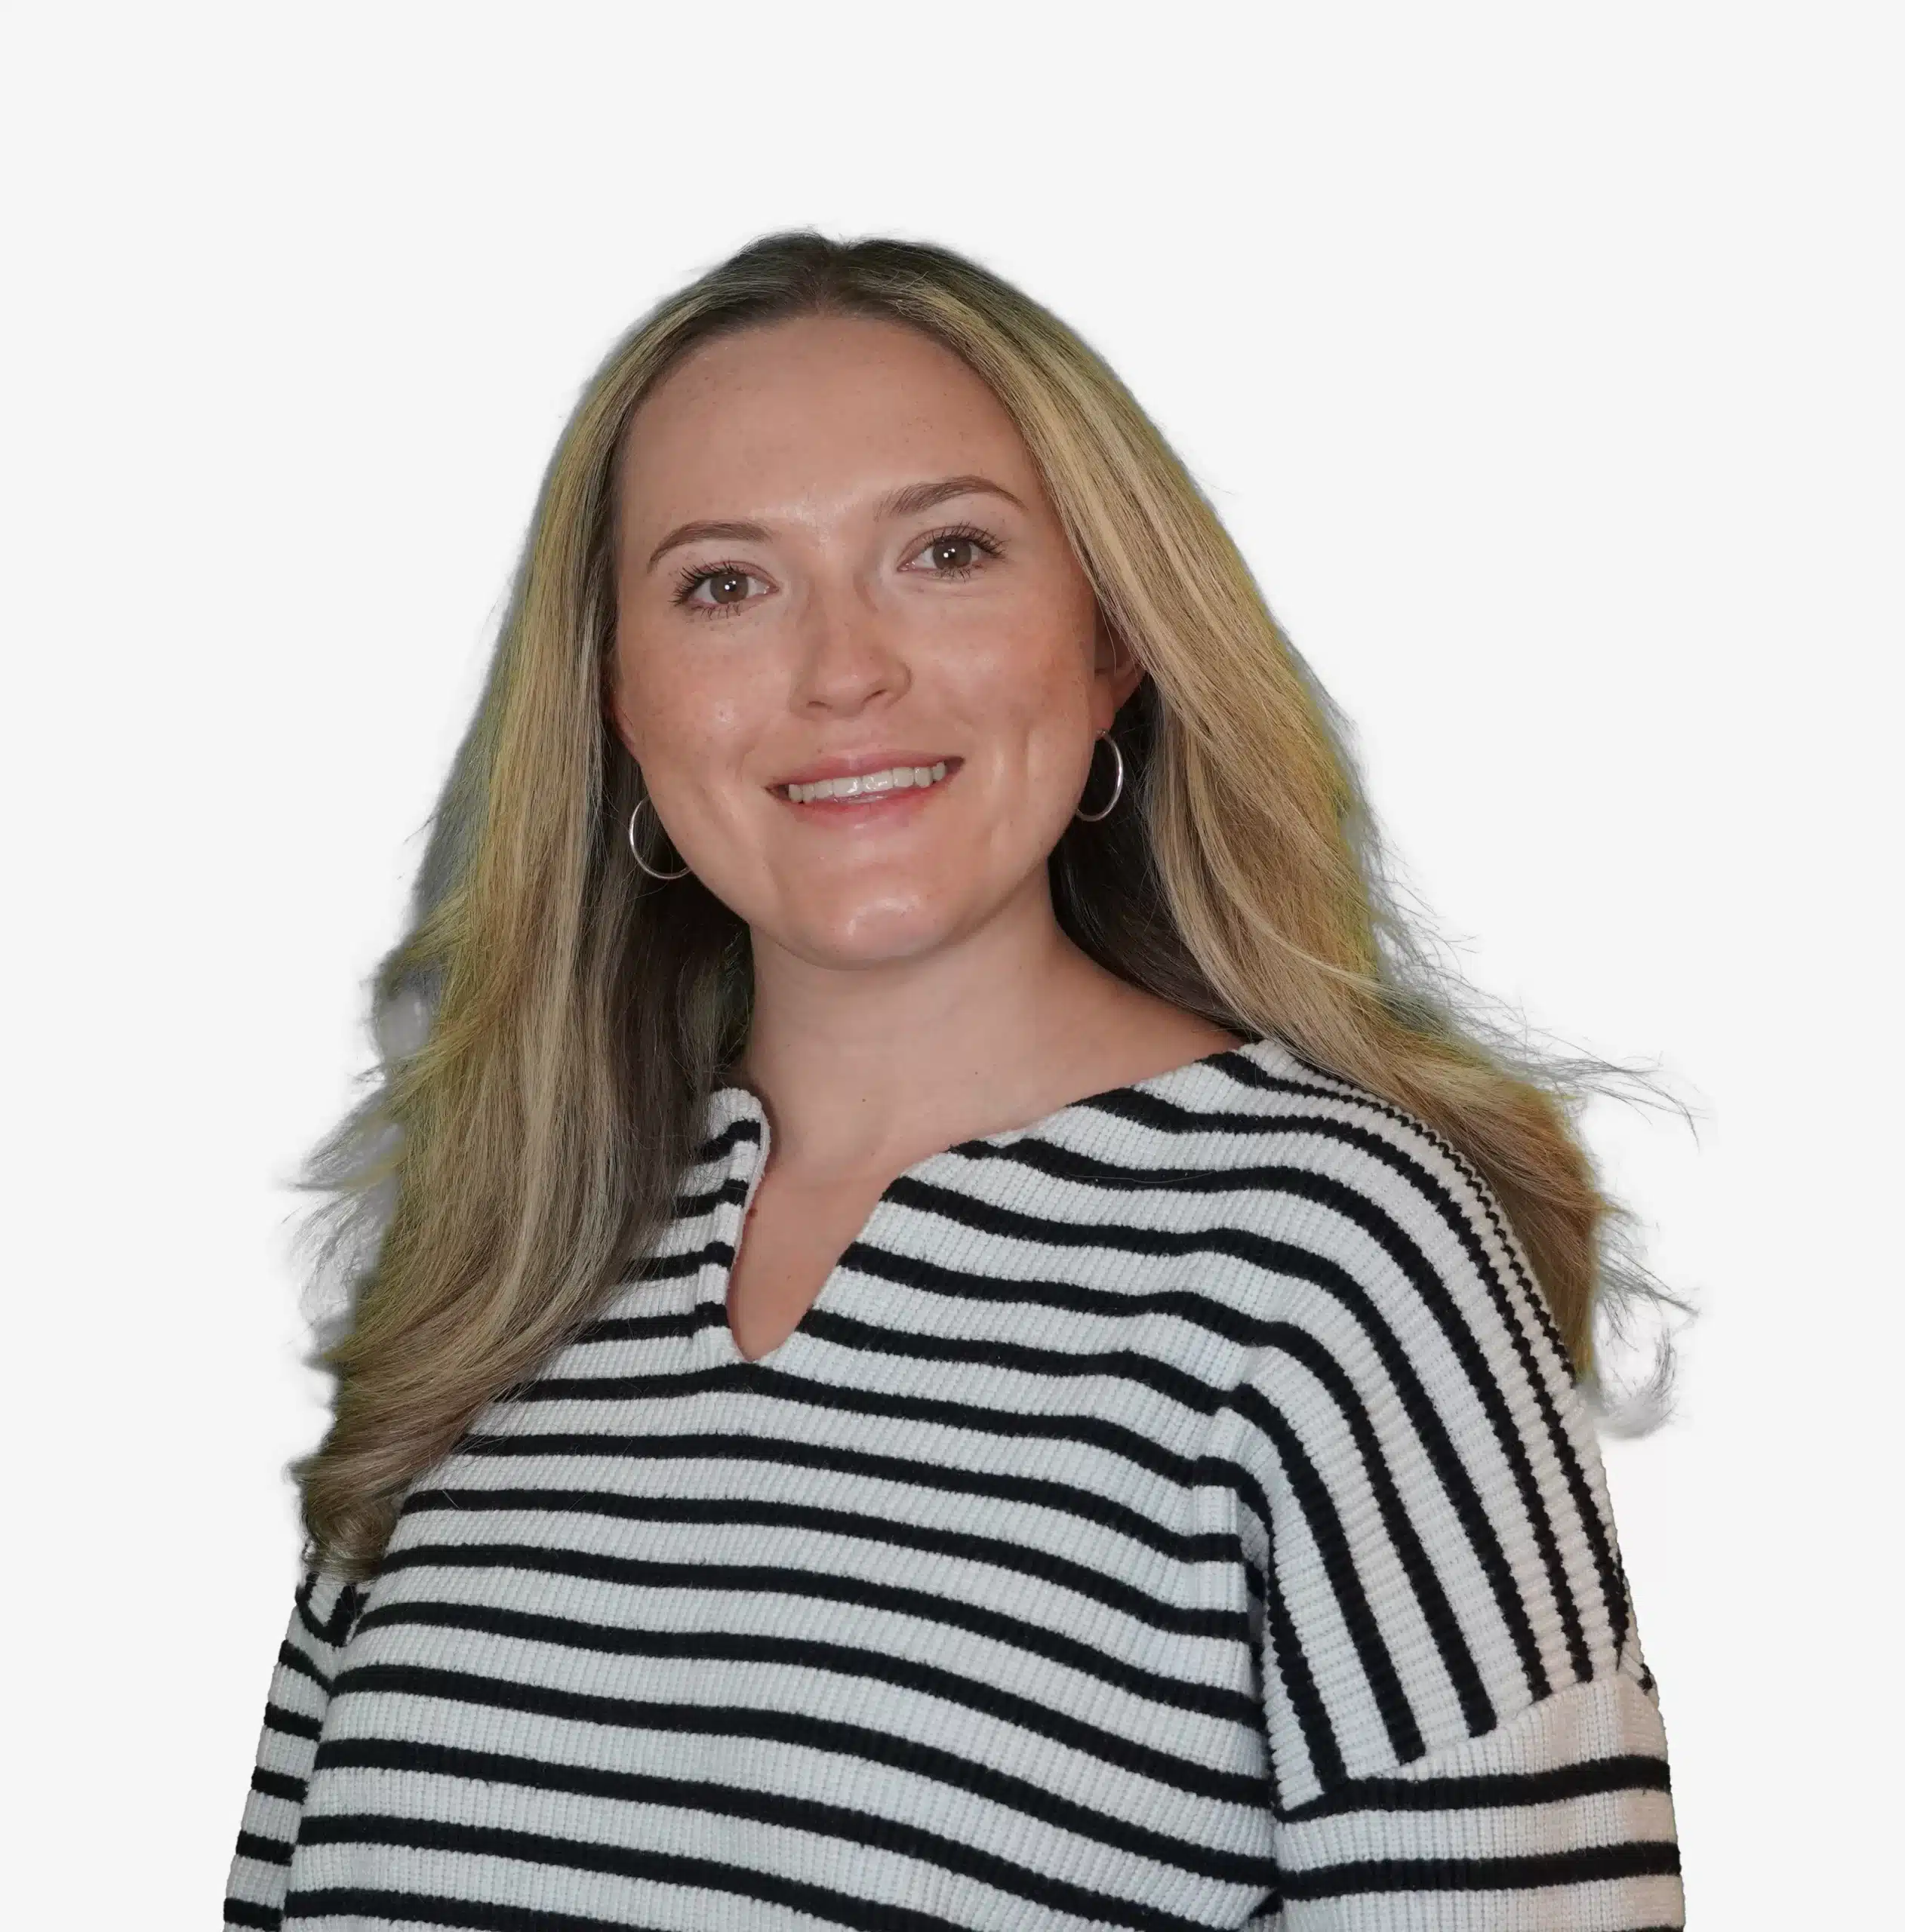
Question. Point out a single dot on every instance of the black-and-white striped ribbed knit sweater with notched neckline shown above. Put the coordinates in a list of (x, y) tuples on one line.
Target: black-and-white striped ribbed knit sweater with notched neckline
[(1172, 1514)]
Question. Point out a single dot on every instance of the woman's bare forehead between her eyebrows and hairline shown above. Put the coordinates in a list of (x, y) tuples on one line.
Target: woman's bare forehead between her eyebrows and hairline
[(832, 407)]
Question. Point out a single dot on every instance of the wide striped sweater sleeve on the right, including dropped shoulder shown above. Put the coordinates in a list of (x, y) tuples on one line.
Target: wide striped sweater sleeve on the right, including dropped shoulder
[(1462, 1730)]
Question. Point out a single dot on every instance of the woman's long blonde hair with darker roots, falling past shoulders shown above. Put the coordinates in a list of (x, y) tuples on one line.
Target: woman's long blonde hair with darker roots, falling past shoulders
[(554, 1021)]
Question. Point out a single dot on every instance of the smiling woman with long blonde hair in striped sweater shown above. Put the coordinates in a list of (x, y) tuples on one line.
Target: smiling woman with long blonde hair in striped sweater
[(942, 1336)]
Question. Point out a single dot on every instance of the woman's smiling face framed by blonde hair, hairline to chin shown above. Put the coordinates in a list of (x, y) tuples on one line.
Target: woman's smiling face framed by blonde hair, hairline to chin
[(836, 557)]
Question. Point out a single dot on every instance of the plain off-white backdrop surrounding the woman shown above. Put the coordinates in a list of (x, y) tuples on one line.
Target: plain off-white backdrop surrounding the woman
[(1545, 360)]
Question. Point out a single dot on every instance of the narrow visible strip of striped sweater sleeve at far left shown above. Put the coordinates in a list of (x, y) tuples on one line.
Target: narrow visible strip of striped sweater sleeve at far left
[(324, 1610)]
